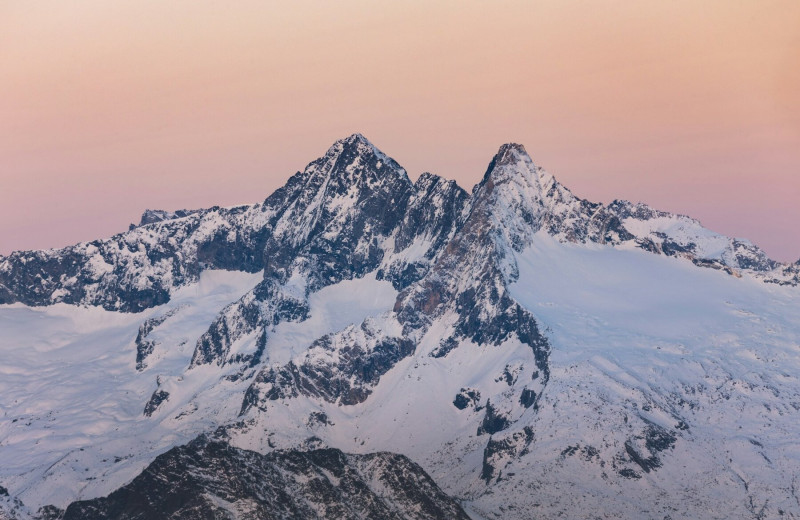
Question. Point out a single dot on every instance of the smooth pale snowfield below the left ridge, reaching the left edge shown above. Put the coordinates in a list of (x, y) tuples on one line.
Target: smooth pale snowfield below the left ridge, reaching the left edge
[(72, 400)]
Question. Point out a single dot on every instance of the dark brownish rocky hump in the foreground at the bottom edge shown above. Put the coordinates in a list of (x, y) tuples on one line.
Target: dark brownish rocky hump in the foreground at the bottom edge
[(209, 479)]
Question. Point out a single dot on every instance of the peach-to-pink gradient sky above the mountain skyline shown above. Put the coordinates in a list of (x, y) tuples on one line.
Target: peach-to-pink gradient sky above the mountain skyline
[(108, 108)]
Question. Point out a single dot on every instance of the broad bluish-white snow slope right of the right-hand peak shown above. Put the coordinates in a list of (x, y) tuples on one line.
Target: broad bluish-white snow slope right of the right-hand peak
[(639, 341)]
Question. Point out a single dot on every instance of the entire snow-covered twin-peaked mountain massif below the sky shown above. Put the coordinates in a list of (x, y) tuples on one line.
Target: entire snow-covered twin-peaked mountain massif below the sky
[(535, 353)]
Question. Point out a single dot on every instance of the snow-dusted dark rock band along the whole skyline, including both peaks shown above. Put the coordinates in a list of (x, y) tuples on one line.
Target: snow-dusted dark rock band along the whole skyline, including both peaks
[(331, 220)]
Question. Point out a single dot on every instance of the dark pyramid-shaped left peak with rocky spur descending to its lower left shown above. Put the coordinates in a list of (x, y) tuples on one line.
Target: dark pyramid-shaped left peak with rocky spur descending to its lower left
[(332, 226)]
